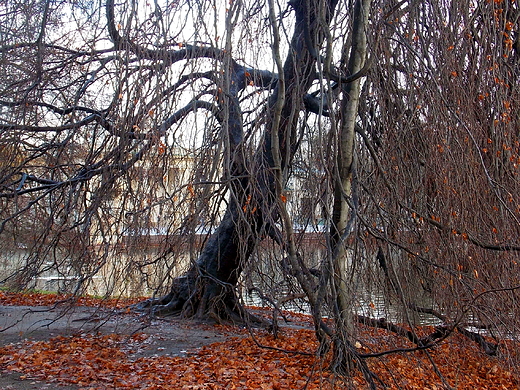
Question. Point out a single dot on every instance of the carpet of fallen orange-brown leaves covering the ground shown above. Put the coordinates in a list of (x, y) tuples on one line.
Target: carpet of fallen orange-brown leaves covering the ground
[(245, 359)]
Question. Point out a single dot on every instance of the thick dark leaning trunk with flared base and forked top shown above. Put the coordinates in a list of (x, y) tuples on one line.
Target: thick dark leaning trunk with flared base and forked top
[(208, 288)]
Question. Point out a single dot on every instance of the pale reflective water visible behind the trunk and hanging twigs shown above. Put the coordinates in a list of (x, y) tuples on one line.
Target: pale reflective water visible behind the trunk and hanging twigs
[(146, 272)]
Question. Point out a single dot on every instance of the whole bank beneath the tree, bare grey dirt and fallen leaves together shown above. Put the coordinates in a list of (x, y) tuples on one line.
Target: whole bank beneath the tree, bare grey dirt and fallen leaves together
[(103, 346)]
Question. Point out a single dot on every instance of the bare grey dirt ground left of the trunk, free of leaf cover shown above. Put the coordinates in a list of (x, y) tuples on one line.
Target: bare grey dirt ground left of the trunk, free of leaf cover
[(174, 337)]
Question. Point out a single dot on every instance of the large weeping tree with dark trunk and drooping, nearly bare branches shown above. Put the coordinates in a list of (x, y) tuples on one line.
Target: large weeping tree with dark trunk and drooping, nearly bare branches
[(402, 113)]
